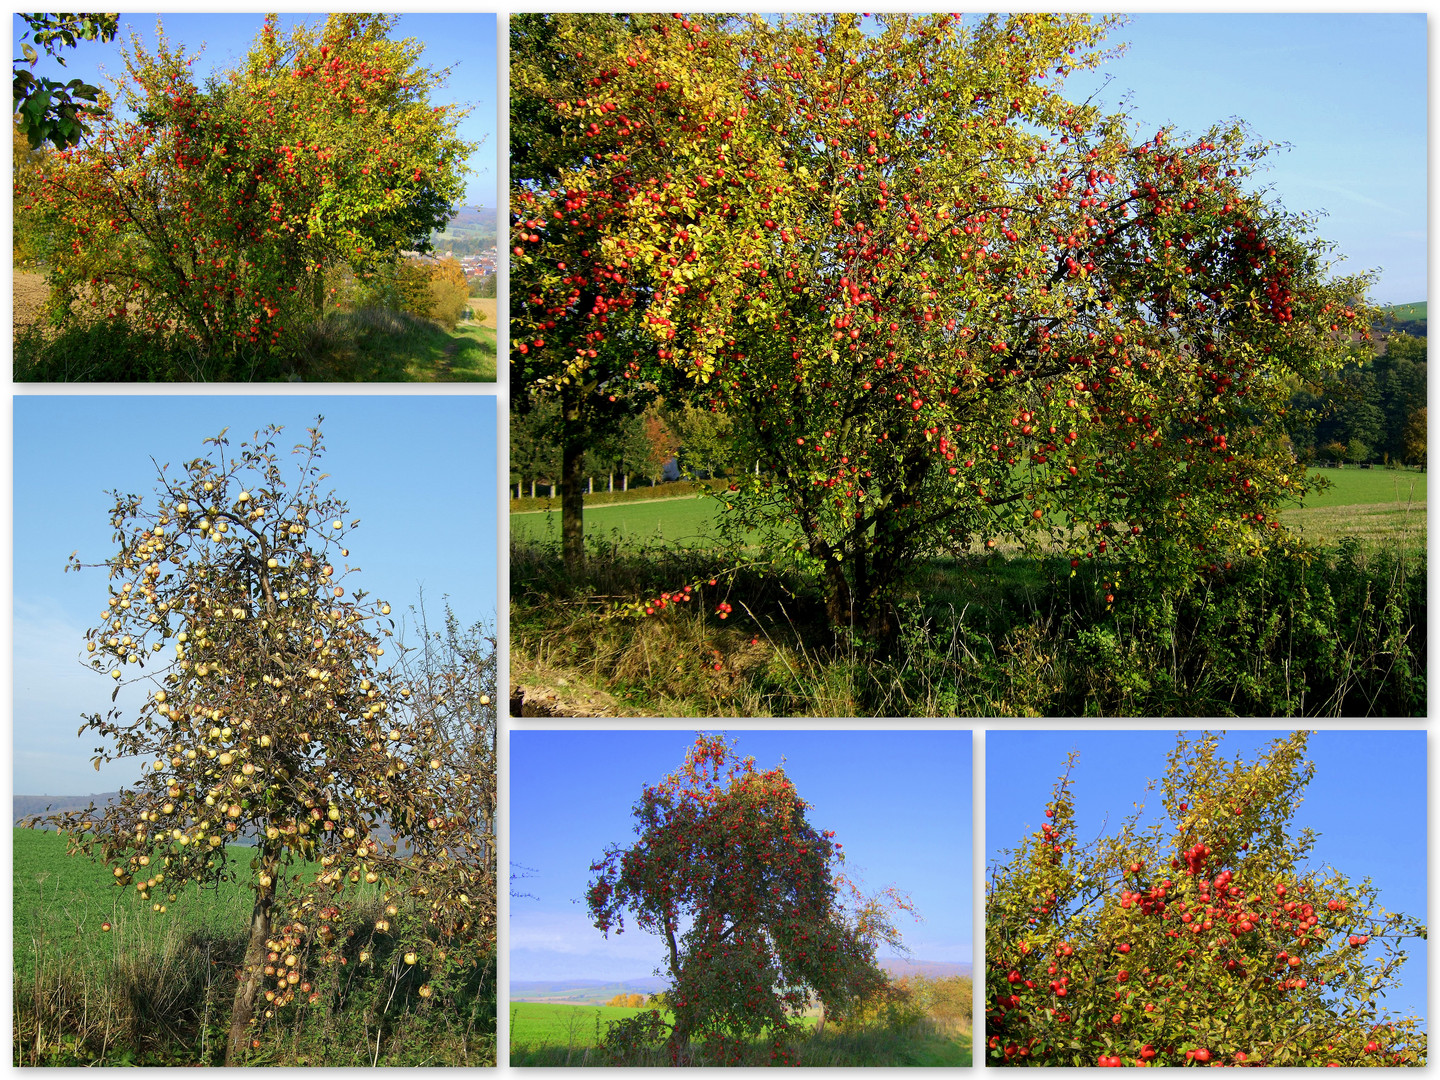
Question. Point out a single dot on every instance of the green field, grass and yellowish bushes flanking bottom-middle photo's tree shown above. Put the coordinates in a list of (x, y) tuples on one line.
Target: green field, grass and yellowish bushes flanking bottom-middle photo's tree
[(937, 1032)]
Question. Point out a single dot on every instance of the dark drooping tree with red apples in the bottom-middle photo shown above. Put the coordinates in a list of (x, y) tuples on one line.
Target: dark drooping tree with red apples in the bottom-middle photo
[(748, 899)]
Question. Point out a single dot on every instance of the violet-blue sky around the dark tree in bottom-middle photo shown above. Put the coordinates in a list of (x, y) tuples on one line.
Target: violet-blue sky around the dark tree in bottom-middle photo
[(899, 801)]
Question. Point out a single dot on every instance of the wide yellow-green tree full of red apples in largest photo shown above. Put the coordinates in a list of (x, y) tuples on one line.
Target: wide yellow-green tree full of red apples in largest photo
[(942, 303)]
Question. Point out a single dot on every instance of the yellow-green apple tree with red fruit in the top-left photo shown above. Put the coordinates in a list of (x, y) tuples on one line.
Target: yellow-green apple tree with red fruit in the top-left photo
[(215, 212)]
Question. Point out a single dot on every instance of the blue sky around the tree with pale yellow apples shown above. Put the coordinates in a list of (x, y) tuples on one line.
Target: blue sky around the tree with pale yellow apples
[(418, 472)]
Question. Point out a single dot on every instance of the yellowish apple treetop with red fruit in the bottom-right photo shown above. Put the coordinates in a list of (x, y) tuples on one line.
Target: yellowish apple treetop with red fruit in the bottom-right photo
[(1205, 938)]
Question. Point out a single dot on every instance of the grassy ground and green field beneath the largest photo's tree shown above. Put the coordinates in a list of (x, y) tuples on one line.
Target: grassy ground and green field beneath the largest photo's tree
[(1340, 631)]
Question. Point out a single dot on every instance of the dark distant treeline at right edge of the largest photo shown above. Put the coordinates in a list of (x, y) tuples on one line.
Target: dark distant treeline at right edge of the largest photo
[(1374, 414)]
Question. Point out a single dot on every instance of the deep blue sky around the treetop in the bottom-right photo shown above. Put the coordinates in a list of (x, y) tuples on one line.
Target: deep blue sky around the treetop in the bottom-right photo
[(1367, 803)]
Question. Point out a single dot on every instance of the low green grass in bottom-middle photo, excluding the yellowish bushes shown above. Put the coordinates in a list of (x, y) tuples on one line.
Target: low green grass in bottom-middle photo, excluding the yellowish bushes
[(545, 1035)]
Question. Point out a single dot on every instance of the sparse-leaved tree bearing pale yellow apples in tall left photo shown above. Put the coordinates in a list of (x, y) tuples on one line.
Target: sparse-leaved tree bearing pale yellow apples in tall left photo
[(273, 716)]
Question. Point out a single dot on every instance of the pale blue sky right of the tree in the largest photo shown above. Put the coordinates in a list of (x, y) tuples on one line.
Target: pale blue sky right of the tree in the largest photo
[(1347, 93)]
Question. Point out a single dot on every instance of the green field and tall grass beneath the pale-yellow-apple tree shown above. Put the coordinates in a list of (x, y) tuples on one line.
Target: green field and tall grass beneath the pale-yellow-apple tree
[(156, 989)]
